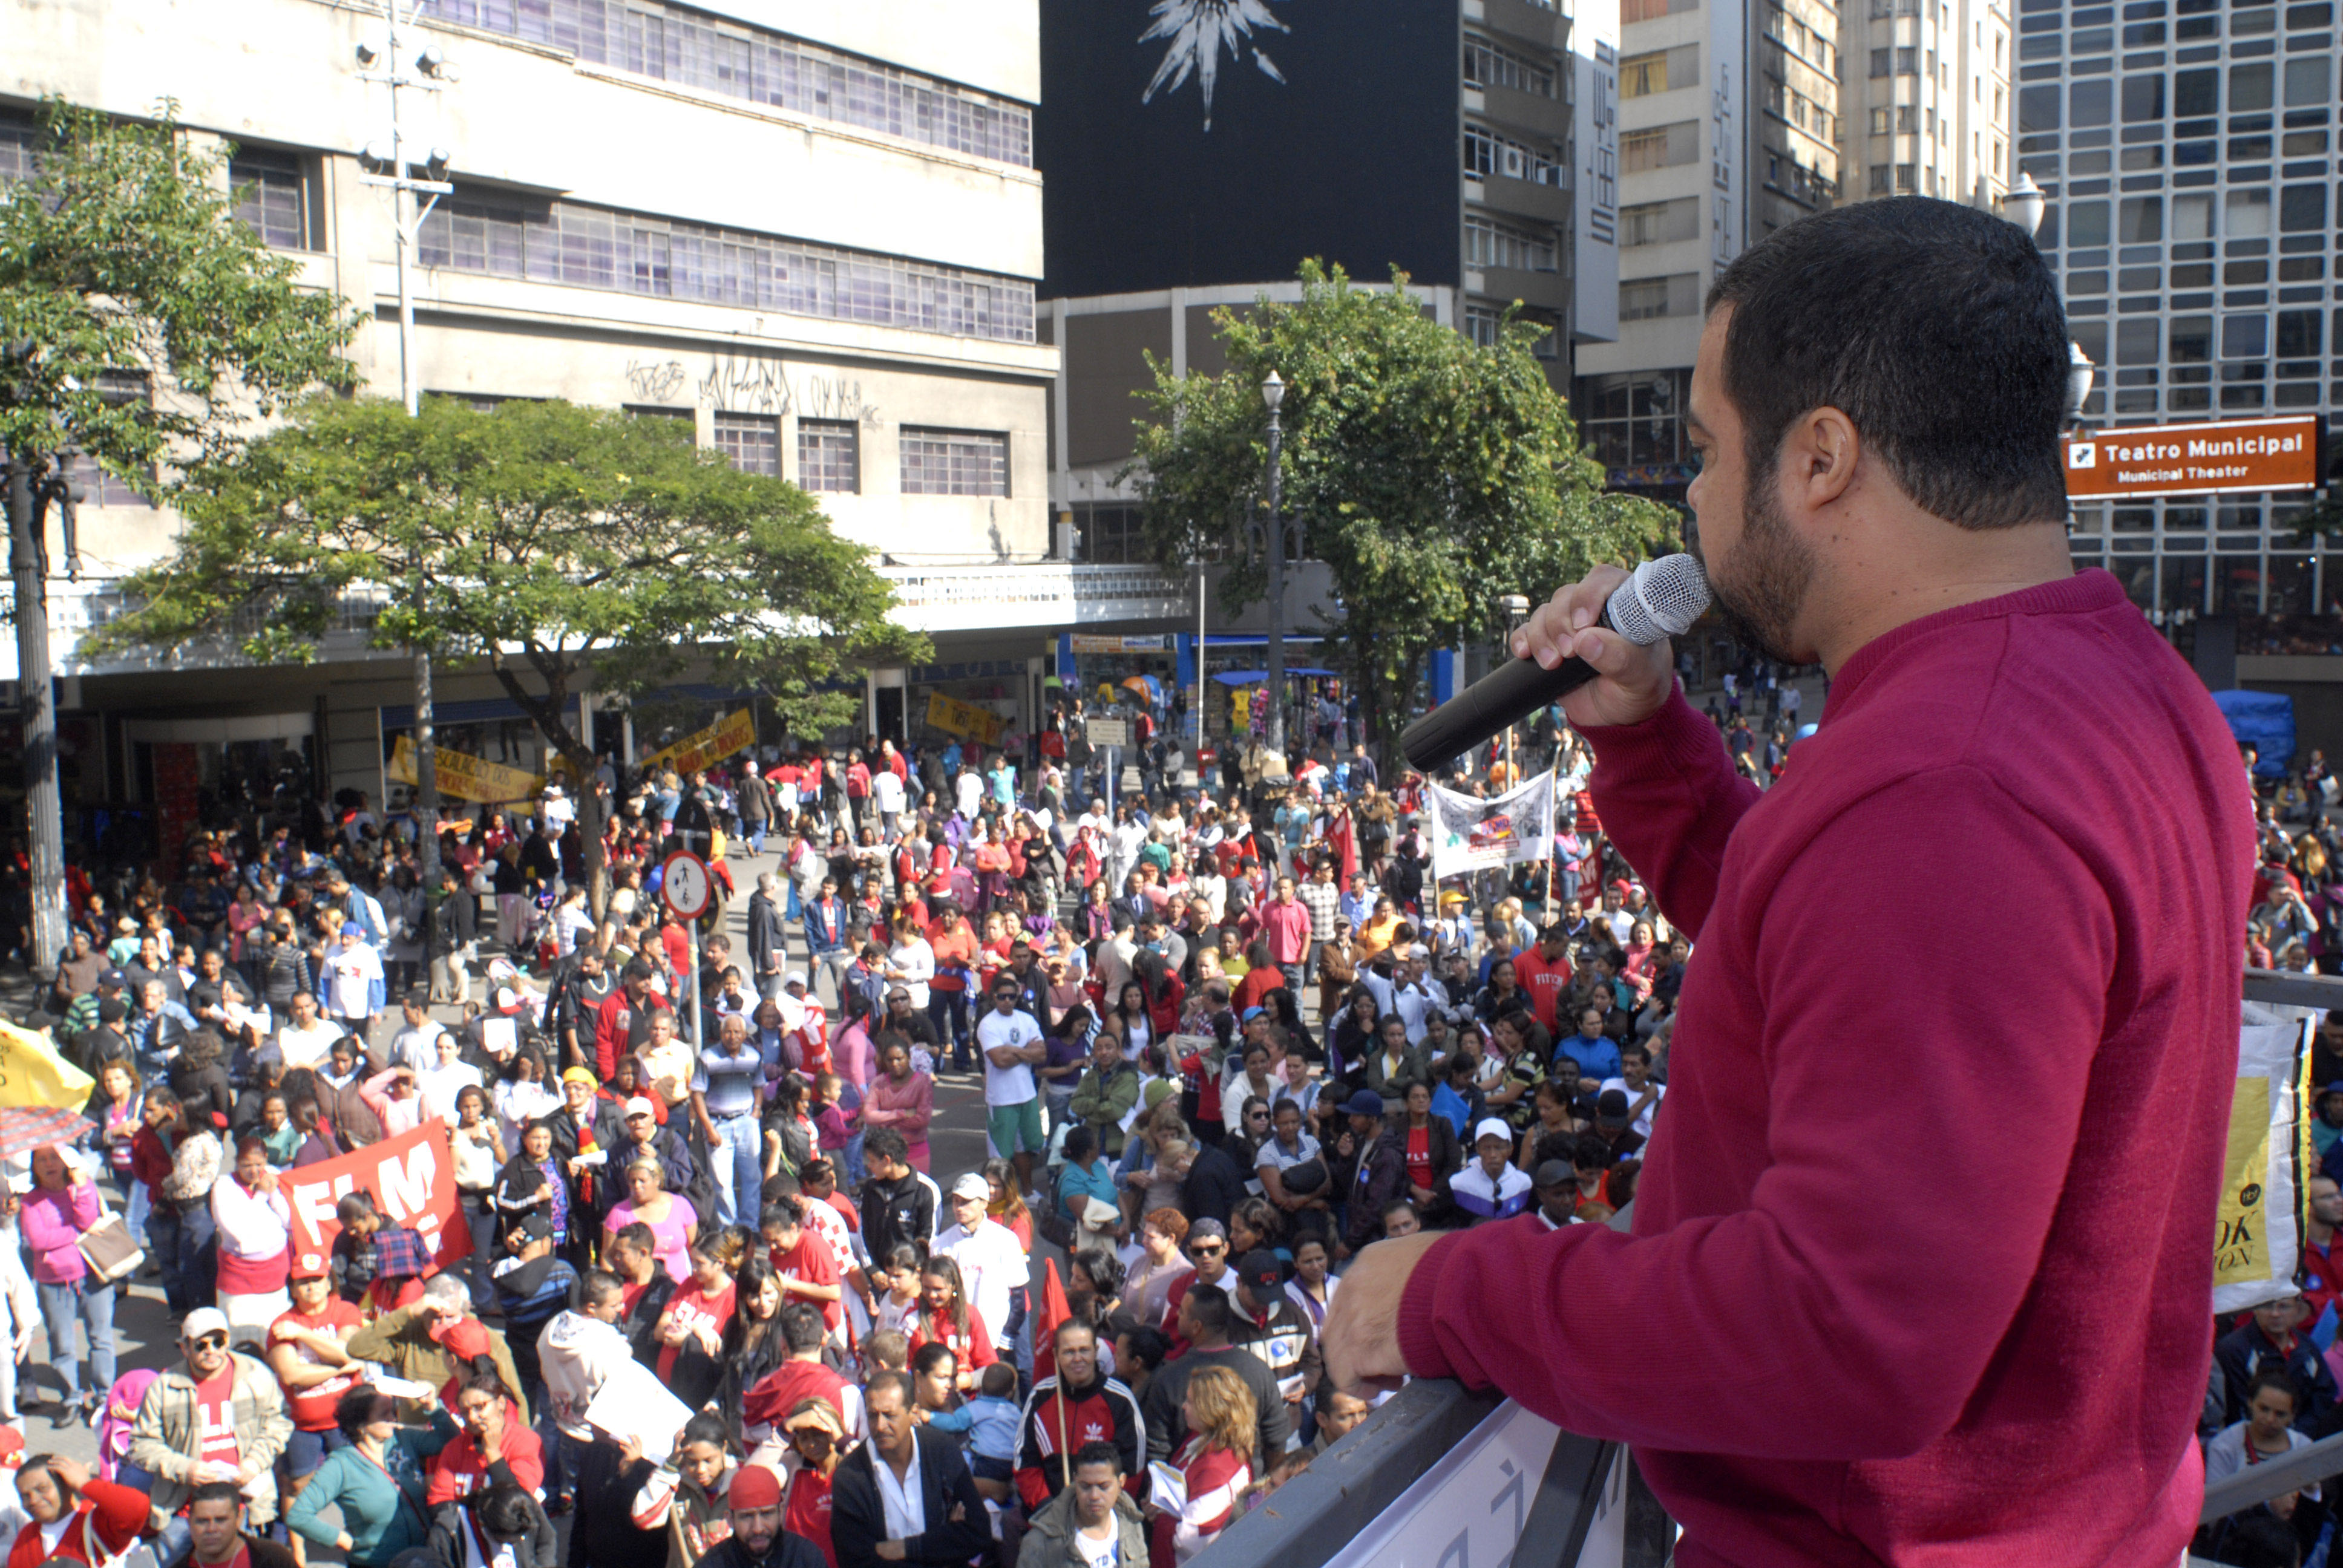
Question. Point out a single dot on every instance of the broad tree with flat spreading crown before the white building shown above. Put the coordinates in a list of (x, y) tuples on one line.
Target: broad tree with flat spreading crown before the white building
[(566, 547)]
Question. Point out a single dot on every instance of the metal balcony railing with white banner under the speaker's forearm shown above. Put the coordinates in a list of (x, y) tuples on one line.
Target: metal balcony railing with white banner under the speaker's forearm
[(1440, 1466)]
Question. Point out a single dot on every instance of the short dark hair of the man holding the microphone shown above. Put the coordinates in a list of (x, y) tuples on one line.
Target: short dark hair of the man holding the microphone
[(1934, 327)]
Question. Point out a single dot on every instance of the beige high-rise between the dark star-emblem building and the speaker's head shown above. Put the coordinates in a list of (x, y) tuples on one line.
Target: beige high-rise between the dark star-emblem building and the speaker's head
[(1728, 130)]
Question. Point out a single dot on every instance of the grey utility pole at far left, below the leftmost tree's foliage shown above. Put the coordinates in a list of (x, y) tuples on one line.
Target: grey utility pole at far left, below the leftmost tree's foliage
[(29, 493)]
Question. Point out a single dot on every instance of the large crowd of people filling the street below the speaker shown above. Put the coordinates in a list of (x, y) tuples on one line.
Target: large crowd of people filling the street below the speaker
[(1224, 1042)]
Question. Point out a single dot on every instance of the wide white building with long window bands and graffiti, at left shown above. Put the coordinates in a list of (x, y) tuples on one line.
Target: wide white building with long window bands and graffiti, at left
[(807, 229)]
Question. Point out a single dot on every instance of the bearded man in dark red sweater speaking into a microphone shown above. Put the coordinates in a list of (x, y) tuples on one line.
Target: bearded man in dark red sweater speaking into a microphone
[(1876, 1325)]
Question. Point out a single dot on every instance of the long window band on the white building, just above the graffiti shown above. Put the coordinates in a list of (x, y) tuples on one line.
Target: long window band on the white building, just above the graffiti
[(592, 247)]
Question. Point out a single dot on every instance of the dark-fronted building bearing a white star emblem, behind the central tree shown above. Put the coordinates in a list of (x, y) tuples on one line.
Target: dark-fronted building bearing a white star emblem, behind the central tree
[(1198, 154)]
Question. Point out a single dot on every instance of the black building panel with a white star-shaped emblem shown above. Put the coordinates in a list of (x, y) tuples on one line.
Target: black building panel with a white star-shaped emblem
[(1332, 130)]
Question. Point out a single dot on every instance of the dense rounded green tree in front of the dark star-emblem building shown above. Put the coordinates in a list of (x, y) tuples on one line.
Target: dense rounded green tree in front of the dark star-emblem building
[(1433, 477)]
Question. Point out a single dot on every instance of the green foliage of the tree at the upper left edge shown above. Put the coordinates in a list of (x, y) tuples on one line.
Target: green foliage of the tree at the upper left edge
[(123, 261)]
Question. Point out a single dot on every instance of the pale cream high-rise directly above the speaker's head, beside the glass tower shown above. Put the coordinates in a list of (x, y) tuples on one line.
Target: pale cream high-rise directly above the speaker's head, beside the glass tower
[(1927, 100)]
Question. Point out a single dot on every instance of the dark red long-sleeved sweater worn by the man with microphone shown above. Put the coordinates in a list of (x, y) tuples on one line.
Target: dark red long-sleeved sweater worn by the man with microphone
[(1892, 1199)]
